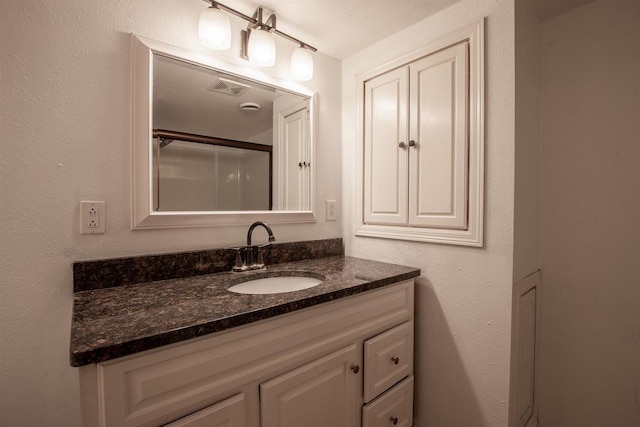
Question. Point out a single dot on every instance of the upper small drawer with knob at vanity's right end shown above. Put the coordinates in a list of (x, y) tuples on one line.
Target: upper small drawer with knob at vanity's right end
[(388, 358)]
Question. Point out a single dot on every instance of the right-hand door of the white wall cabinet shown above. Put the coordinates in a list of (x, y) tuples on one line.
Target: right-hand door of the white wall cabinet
[(438, 126)]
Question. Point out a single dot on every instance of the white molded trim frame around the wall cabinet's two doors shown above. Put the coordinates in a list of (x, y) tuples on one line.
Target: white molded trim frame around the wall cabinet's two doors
[(472, 234)]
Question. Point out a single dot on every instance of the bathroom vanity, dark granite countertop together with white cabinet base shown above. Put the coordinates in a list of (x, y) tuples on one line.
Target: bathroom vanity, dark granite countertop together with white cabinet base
[(187, 352)]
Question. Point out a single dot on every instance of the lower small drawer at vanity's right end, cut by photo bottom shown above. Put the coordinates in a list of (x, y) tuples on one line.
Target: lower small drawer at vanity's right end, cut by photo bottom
[(393, 409)]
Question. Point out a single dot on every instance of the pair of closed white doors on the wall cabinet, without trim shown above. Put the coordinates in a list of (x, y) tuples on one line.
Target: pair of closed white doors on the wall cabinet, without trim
[(415, 143)]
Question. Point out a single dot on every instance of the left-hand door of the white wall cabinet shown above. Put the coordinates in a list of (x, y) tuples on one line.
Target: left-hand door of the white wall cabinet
[(385, 161)]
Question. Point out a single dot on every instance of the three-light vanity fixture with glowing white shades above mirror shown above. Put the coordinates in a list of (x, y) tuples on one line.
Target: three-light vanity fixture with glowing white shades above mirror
[(257, 42)]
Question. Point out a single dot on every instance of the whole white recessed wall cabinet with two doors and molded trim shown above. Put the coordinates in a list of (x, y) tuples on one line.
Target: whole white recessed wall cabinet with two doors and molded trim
[(421, 169)]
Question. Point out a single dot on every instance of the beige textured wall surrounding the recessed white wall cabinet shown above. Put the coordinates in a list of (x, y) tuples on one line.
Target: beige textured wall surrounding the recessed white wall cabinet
[(463, 298)]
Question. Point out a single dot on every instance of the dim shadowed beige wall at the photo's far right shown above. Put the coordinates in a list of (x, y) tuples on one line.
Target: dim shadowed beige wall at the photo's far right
[(590, 206)]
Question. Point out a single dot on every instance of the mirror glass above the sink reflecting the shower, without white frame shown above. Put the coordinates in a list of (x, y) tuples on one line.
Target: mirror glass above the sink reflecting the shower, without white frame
[(226, 143)]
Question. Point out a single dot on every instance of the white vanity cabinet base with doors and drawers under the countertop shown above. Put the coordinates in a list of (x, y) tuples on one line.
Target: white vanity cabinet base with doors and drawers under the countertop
[(307, 368)]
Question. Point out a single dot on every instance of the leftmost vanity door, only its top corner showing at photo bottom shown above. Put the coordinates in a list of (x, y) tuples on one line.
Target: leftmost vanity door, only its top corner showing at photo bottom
[(229, 412)]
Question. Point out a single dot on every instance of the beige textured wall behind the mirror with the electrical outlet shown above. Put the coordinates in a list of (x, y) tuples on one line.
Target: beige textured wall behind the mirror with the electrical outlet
[(65, 135)]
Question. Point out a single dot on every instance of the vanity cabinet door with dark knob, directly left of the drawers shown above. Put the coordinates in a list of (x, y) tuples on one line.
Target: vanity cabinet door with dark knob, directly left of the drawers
[(322, 393)]
